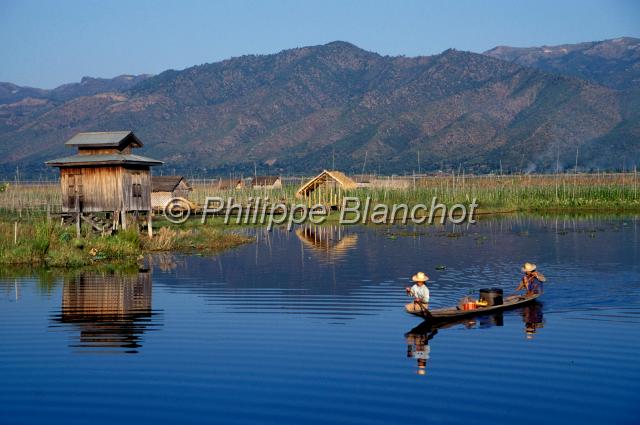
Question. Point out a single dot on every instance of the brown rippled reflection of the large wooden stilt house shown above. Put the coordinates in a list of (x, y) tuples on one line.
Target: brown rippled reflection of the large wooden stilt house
[(111, 311)]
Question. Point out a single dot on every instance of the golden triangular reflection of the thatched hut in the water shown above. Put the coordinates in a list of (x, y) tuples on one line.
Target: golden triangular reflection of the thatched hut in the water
[(329, 242)]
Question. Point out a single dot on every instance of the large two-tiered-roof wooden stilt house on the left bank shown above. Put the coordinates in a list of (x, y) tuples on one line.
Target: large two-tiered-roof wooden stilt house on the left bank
[(104, 176)]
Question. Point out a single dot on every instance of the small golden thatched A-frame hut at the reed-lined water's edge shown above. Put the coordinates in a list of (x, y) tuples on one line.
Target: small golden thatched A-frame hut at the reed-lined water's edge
[(327, 188)]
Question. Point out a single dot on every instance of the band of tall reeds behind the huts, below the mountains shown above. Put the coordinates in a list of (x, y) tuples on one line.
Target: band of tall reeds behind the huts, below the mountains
[(532, 192)]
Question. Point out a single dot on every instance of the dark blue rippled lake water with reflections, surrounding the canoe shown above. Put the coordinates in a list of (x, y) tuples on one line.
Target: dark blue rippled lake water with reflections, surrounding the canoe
[(309, 327)]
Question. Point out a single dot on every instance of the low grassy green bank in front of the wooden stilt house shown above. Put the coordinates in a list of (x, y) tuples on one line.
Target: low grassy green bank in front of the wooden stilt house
[(36, 241)]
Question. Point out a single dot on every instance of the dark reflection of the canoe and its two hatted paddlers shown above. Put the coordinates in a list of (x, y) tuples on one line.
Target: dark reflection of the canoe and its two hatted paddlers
[(418, 338)]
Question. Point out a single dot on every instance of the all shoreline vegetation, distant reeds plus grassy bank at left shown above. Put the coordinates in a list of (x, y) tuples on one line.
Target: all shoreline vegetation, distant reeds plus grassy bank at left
[(42, 240)]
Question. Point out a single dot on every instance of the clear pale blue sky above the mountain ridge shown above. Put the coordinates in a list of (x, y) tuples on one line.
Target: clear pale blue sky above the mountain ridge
[(48, 43)]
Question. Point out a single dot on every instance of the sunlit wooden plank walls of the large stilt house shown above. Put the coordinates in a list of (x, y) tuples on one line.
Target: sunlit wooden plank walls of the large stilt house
[(105, 188)]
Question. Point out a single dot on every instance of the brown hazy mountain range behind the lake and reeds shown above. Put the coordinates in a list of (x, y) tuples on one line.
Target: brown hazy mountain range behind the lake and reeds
[(339, 106)]
